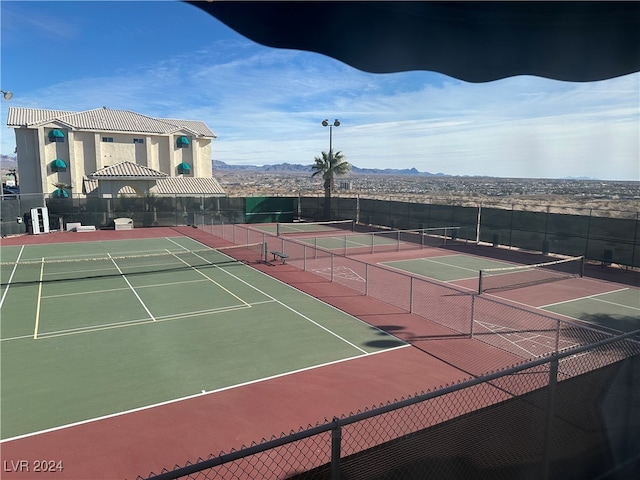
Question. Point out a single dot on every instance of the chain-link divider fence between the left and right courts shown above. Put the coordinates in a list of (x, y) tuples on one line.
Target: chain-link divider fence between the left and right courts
[(483, 318)]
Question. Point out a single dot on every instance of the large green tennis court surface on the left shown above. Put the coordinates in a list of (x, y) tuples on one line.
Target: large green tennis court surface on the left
[(151, 329)]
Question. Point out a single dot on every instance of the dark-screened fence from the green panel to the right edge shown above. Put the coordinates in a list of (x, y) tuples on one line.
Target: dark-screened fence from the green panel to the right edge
[(600, 235)]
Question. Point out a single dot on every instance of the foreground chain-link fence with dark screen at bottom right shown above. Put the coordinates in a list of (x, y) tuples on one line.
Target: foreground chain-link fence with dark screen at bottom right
[(562, 416)]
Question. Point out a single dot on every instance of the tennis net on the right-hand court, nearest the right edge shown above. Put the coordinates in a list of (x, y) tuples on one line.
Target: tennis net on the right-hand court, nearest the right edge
[(507, 278)]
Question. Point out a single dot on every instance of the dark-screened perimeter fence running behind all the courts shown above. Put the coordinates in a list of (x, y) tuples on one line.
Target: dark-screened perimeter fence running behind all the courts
[(598, 235)]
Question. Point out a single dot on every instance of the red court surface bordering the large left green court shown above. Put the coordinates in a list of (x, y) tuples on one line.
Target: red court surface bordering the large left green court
[(134, 444)]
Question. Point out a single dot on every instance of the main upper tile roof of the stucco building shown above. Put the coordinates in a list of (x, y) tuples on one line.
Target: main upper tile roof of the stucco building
[(104, 119)]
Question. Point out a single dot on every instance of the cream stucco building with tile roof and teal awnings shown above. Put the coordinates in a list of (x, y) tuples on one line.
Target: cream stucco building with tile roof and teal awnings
[(106, 153)]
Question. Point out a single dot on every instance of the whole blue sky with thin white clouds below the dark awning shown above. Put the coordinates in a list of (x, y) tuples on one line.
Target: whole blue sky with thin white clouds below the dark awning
[(169, 59)]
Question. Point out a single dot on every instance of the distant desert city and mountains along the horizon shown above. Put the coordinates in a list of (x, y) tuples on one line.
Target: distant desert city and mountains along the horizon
[(287, 179)]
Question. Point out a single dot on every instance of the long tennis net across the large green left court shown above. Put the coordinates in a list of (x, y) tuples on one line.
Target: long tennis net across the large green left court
[(65, 269)]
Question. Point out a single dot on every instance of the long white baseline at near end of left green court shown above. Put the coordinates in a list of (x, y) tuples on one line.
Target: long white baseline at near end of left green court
[(200, 394)]
